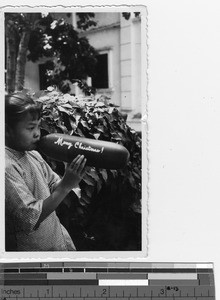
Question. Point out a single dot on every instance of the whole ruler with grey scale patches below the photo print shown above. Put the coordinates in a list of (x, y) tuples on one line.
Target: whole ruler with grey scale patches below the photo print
[(106, 280)]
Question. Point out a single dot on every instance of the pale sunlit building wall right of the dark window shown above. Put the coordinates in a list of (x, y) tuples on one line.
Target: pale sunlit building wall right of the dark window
[(123, 37)]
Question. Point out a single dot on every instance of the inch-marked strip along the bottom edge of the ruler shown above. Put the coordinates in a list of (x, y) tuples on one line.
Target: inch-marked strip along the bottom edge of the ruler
[(108, 292)]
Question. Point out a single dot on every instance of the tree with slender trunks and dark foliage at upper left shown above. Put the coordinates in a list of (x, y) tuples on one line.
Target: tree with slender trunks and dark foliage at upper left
[(69, 57)]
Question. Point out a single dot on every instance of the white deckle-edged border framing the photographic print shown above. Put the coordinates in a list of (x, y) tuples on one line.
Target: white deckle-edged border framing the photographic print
[(76, 255)]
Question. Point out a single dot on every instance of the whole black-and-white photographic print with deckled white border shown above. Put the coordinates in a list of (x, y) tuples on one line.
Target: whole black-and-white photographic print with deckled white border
[(75, 132)]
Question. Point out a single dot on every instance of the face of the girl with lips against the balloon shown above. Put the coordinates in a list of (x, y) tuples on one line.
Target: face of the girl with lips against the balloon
[(24, 135)]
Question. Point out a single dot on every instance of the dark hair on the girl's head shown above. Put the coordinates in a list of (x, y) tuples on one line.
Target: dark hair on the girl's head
[(17, 105)]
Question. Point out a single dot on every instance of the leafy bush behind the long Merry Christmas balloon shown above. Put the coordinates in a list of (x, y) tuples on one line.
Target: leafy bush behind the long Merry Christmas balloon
[(108, 214)]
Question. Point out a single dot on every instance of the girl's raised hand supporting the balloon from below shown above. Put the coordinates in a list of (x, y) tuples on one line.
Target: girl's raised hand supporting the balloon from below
[(74, 173)]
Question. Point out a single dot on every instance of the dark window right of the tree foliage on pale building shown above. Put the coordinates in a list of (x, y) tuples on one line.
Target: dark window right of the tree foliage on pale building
[(101, 78)]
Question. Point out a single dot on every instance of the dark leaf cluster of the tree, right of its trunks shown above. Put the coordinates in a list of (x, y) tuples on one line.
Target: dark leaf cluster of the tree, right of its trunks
[(71, 57)]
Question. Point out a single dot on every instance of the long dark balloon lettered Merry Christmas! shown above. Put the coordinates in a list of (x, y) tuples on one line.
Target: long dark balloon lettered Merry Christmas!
[(100, 154)]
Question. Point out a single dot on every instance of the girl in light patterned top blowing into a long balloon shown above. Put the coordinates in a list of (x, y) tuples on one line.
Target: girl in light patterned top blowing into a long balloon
[(32, 190)]
